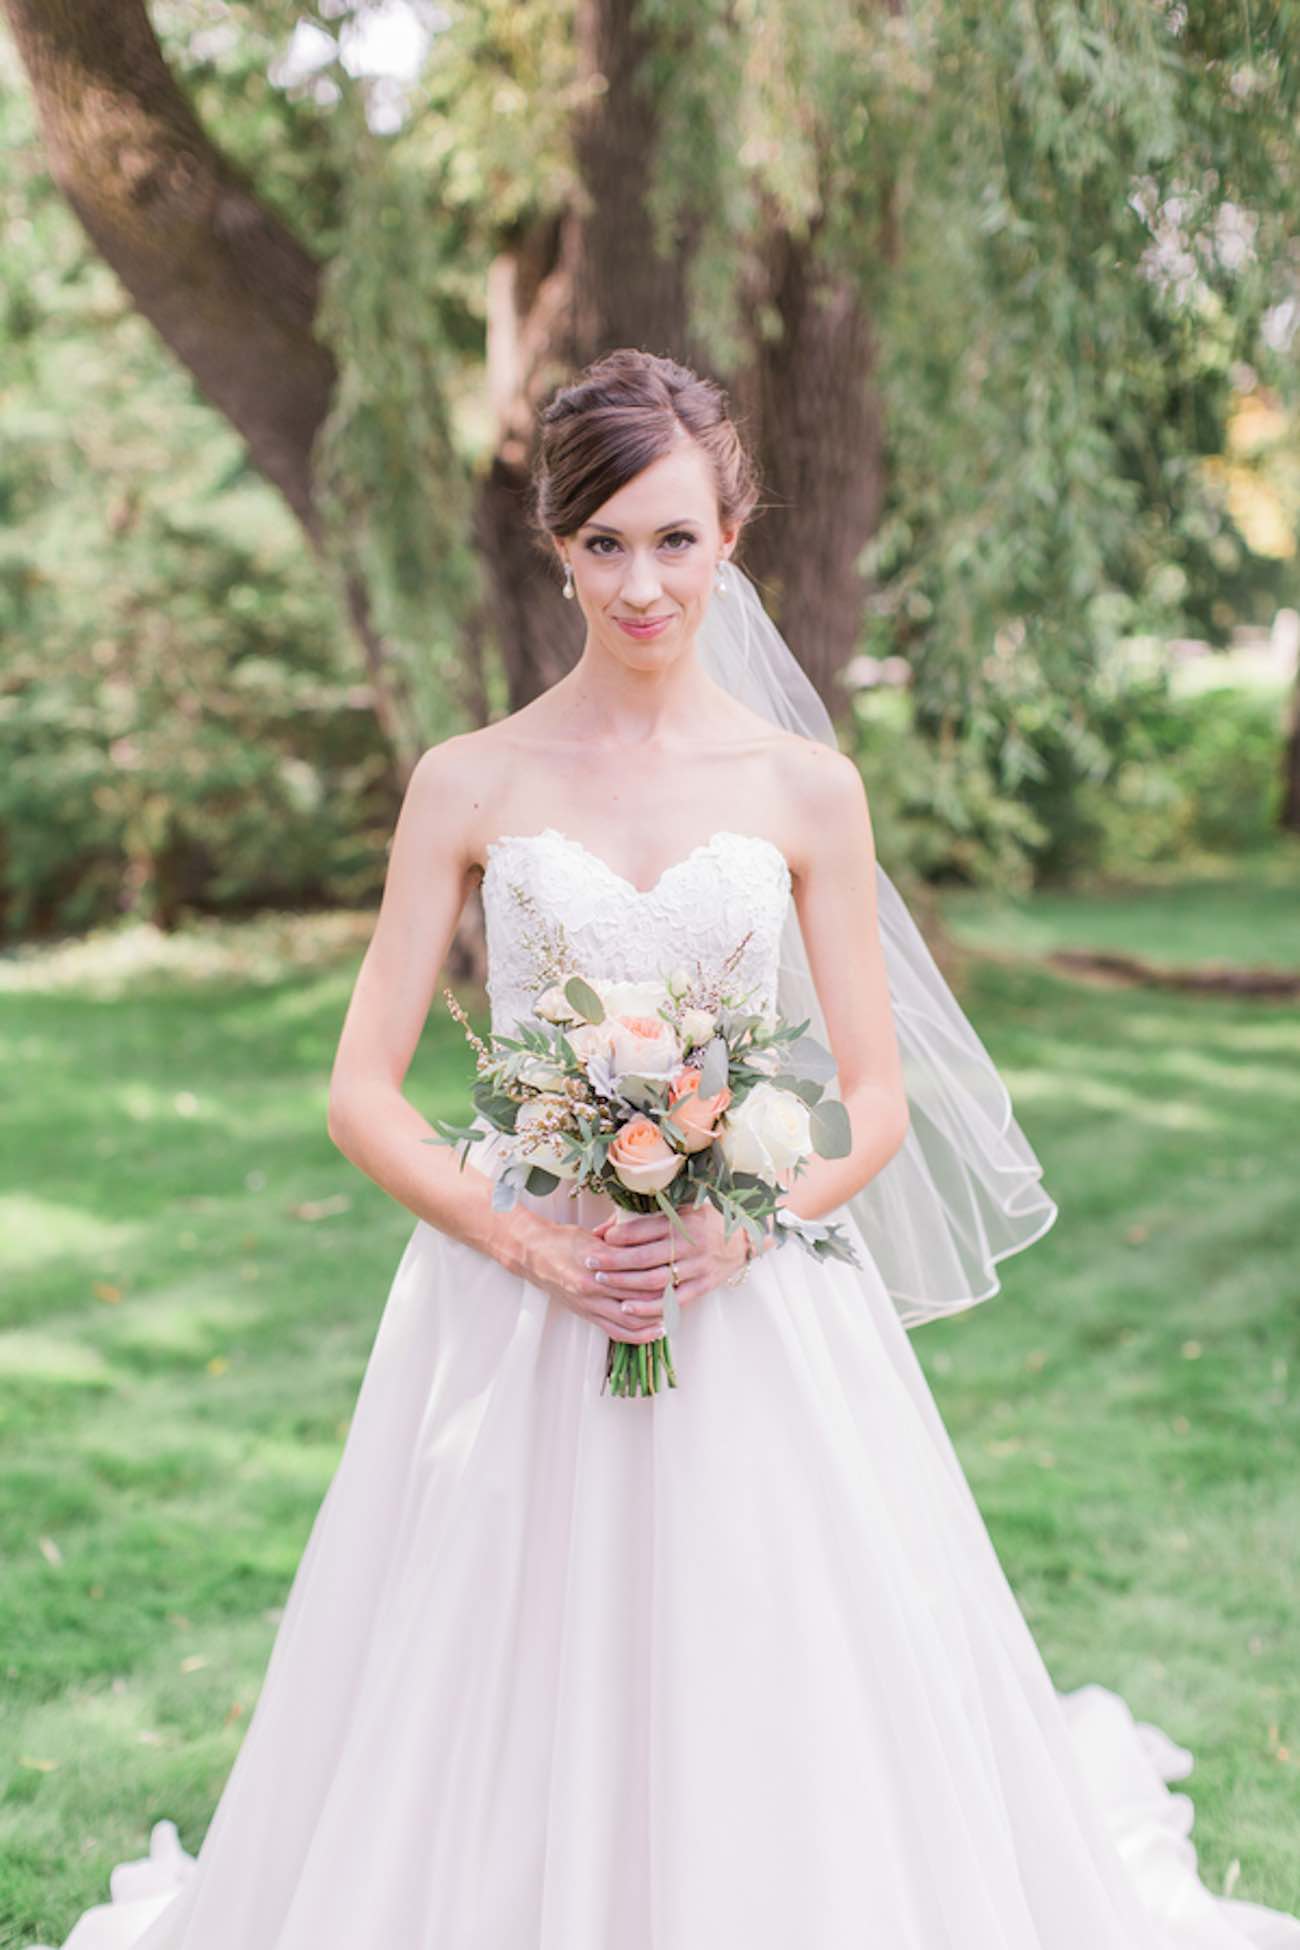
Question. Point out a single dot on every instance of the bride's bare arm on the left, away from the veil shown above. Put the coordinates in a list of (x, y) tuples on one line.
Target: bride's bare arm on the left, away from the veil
[(369, 1118)]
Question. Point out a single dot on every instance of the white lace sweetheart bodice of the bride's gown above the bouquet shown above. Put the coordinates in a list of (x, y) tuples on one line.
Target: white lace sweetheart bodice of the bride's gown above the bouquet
[(549, 900)]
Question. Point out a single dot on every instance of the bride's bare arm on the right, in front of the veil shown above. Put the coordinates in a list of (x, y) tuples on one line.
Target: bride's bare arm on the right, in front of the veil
[(835, 896)]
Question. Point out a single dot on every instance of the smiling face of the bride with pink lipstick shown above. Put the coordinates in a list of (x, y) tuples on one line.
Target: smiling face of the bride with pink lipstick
[(650, 553)]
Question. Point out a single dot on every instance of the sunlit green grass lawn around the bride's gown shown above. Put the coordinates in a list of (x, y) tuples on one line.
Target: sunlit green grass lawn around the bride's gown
[(192, 1280)]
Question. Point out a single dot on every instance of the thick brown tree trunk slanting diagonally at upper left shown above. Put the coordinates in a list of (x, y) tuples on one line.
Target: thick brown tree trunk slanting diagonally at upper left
[(225, 284)]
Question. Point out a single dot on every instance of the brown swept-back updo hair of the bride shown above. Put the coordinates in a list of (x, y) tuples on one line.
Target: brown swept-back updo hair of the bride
[(623, 412)]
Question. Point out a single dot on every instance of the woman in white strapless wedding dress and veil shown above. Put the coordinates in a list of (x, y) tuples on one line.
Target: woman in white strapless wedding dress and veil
[(732, 1666)]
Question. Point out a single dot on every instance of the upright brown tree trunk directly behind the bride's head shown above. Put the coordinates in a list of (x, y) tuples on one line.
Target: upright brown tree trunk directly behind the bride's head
[(593, 282)]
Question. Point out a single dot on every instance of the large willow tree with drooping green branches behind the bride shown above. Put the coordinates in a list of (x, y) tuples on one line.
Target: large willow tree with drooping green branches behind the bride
[(974, 276)]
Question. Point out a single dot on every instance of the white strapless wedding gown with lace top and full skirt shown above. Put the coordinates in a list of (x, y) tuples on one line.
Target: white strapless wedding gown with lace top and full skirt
[(728, 1668)]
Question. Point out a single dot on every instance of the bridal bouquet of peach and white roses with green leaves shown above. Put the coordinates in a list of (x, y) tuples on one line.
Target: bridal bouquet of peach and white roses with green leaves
[(660, 1095)]
